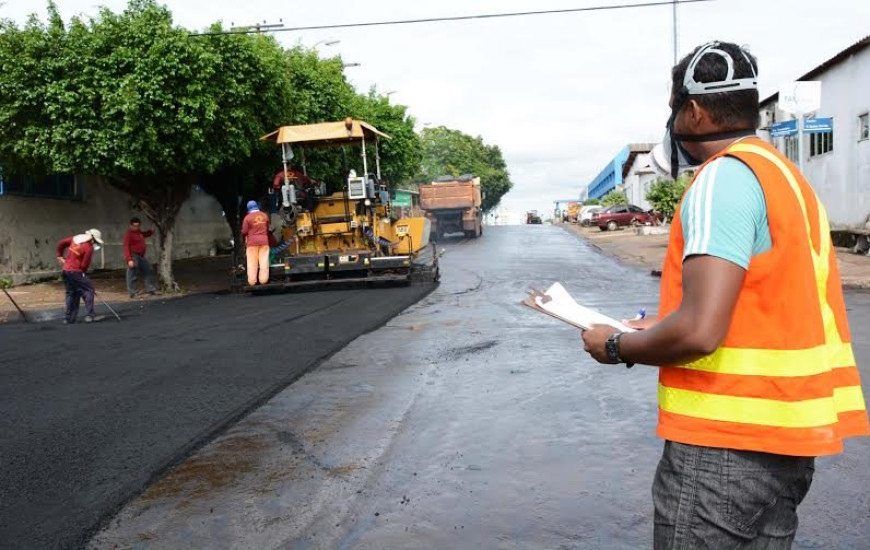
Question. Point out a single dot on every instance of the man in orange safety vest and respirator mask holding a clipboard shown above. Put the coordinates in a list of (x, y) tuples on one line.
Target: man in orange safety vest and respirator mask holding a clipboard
[(757, 375)]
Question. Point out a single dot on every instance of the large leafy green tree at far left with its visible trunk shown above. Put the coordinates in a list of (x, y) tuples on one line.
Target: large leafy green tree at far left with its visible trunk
[(133, 98)]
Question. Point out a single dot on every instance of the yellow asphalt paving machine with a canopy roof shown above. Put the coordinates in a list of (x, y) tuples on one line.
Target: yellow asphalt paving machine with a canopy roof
[(341, 231)]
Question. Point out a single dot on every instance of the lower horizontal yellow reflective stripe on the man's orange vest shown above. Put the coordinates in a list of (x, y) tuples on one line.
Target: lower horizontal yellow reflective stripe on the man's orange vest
[(749, 410)]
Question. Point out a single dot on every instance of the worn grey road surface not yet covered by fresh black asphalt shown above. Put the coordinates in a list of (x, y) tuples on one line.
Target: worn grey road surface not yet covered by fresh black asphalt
[(468, 421)]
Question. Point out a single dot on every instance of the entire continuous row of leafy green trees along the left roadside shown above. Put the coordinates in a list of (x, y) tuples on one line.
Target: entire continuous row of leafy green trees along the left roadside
[(136, 99)]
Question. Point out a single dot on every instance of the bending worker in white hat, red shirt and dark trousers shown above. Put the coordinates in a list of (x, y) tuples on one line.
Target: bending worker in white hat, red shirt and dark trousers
[(79, 252)]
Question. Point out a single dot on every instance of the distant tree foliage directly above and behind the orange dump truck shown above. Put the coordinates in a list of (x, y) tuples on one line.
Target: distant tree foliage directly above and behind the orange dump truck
[(453, 153)]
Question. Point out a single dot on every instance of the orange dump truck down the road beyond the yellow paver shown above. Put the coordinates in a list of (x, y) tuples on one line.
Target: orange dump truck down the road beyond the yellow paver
[(452, 205)]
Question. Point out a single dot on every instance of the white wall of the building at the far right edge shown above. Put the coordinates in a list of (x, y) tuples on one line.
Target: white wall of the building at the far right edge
[(841, 177)]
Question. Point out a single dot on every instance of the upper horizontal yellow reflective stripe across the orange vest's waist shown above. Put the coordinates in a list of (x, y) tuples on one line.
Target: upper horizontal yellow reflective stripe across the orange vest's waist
[(775, 362)]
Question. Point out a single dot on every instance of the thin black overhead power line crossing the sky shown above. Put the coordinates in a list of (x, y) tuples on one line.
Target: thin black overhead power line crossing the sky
[(464, 17)]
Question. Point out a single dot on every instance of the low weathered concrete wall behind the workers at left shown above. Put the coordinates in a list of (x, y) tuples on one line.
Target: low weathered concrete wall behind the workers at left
[(31, 228)]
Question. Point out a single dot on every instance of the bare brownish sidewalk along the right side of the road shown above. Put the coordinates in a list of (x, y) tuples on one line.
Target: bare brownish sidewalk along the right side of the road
[(647, 252)]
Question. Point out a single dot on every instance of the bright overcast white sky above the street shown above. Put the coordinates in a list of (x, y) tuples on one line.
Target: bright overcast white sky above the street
[(560, 94)]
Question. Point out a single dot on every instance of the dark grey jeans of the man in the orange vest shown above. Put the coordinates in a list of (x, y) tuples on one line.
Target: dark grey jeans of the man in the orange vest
[(711, 498)]
